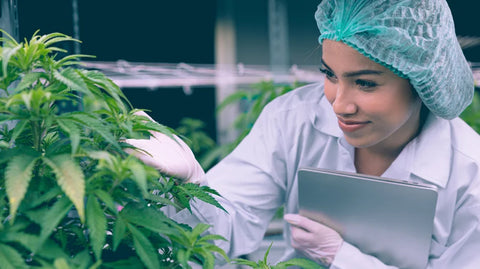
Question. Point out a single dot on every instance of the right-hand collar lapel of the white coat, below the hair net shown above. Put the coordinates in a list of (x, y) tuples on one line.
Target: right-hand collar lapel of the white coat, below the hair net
[(432, 151)]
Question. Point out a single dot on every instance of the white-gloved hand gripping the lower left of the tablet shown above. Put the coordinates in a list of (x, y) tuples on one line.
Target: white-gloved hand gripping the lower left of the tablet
[(315, 240)]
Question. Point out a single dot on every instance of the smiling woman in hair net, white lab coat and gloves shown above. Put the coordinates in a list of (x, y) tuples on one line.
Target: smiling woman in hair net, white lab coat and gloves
[(395, 82)]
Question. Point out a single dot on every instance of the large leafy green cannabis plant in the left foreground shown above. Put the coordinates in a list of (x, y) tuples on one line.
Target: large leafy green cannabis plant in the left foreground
[(70, 195)]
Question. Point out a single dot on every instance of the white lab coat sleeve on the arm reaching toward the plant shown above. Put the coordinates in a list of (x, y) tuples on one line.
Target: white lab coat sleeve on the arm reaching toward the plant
[(251, 181)]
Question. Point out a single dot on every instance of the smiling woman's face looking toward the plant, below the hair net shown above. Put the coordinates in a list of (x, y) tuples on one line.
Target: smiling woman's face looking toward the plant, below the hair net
[(375, 108)]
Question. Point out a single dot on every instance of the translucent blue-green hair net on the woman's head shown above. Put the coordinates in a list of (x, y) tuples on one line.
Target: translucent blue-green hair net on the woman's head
[(413, 38)]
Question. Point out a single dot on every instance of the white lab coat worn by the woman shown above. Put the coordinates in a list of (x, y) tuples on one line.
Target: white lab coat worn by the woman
[(300, 129)]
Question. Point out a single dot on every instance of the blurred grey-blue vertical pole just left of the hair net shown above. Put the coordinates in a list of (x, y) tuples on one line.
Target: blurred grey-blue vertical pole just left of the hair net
[(278, 34)]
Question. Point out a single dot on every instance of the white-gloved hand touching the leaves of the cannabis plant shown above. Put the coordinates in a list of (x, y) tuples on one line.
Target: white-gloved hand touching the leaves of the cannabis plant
[(170, 157)]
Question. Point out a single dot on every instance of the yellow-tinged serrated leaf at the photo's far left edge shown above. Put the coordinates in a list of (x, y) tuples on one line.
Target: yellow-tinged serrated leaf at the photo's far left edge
[(18, 174)]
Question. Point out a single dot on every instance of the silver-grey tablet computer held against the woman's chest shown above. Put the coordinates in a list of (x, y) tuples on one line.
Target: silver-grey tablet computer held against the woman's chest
[(389, 219)]
